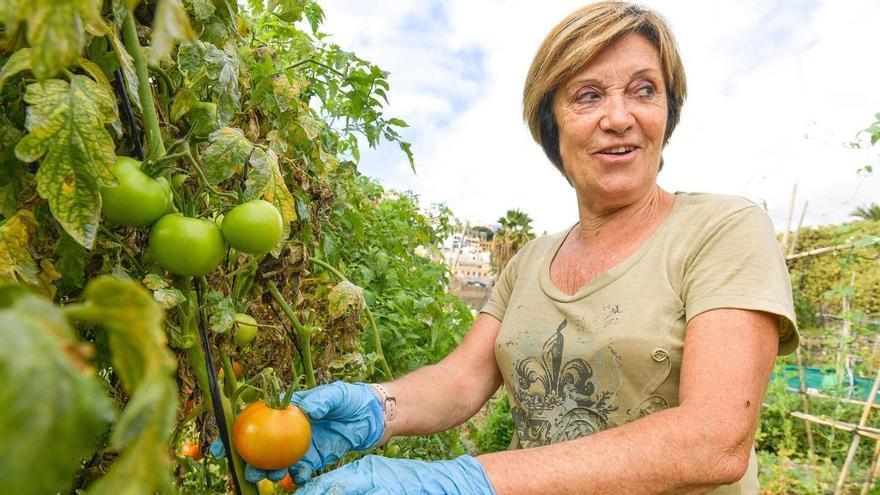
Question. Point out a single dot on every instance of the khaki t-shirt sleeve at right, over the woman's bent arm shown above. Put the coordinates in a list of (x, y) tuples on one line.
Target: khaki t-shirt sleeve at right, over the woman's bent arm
[(739, 264)]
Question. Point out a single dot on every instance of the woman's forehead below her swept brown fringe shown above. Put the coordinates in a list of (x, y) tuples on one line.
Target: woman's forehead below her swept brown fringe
[(632, 53)]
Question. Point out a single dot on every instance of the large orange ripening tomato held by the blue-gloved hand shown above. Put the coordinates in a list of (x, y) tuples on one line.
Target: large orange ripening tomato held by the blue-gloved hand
[(269, 438)]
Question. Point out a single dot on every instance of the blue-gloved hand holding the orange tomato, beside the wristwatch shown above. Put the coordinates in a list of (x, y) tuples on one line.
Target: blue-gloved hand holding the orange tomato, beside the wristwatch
[(344, 417)]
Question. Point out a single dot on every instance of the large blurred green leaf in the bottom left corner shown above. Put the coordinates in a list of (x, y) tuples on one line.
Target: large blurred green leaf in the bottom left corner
[(54, 408)]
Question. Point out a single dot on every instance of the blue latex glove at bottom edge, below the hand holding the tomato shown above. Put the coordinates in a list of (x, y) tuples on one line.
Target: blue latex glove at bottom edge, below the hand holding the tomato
[(375, 475)]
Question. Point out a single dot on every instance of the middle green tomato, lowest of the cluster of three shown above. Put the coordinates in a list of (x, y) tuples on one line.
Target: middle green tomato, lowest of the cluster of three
[(187, 246)]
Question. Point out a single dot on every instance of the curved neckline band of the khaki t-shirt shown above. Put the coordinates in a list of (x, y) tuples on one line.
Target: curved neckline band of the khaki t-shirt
[(610, 275)]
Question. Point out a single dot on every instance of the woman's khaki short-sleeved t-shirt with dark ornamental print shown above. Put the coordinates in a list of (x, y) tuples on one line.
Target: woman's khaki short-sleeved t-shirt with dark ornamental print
[(611, 353)]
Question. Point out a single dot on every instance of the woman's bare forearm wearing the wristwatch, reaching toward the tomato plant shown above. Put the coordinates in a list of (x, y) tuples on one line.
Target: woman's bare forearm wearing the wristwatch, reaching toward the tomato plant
[(437, 397)]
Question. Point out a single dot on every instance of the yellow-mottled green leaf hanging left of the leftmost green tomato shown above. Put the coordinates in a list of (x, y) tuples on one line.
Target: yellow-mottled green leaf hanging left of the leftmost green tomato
[(66, 124)]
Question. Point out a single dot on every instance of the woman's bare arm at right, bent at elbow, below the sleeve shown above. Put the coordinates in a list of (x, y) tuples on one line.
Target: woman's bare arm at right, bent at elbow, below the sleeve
[(693, 448)]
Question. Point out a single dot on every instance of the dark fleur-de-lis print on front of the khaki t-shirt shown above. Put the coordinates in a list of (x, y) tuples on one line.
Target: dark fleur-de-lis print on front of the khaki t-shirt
[(556, 401)]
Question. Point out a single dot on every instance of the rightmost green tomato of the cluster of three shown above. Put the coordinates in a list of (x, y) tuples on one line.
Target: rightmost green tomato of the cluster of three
[(254, 227)]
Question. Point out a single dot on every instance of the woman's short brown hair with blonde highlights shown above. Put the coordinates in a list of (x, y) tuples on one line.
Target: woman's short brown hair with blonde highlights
[(574, 42)]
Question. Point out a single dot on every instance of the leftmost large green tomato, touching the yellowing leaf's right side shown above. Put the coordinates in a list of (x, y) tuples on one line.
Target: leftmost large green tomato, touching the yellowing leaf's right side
[(138, 200)]
